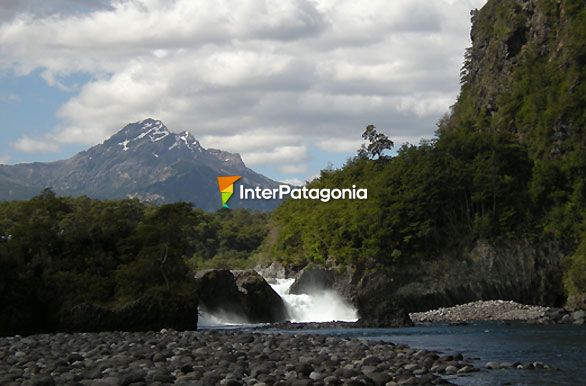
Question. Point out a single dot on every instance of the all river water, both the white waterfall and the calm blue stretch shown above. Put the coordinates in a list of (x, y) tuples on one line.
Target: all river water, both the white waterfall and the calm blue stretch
[(562, 347)]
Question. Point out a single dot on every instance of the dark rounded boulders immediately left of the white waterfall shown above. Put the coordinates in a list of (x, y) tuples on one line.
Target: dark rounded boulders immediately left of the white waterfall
[(241, 293)]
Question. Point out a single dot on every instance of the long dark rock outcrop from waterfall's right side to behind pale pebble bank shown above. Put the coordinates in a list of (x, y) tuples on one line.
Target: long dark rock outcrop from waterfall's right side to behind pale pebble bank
[(521, 271)]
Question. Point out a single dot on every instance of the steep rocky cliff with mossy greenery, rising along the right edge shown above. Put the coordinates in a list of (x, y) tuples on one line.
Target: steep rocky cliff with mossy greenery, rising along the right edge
[(525, 74)]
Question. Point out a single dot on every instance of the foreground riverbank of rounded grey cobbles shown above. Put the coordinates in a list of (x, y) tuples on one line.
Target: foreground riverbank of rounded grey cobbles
[(217, 358)]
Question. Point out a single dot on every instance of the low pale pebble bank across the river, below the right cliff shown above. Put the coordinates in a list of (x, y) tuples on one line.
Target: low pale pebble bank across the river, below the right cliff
[(499, 310)]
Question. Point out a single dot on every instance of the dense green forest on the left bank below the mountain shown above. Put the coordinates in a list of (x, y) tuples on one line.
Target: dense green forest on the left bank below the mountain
[(67, 251)]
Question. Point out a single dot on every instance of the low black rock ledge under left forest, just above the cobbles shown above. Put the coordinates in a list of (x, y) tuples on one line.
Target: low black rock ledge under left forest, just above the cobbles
[(148, 313)]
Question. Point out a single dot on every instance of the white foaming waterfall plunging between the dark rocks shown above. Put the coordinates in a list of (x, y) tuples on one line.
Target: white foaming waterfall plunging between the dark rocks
[(321, 306)]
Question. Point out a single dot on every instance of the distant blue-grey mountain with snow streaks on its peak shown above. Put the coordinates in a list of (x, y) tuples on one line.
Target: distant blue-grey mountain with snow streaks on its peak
[(143, 160)]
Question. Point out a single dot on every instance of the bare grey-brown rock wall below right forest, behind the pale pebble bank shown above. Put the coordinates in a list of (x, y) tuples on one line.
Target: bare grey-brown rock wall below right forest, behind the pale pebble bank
[(521, 270)]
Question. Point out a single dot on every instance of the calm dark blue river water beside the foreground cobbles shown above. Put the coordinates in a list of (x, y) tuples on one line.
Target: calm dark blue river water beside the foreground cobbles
[(562, 347)]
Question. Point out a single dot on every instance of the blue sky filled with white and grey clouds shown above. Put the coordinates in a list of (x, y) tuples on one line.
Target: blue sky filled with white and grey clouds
[(288, 84)]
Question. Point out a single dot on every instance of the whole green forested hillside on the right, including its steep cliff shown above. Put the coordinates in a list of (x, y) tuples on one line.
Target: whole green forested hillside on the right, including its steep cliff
[(507, 163)]
